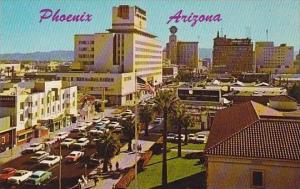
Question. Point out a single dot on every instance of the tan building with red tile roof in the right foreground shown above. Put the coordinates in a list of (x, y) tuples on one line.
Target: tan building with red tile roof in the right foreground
[(253, 146)]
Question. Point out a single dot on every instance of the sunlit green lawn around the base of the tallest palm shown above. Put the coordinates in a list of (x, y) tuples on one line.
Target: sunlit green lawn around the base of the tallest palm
[(178, 169)]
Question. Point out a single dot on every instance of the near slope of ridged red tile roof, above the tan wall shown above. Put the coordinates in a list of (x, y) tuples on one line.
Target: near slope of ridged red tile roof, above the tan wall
[(265, 138)]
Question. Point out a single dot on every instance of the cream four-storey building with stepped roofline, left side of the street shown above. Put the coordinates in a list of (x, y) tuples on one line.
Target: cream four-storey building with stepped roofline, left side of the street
[(34, 105)]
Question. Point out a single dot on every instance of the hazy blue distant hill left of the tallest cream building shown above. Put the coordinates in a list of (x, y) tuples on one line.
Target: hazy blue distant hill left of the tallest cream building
[(40, 56)]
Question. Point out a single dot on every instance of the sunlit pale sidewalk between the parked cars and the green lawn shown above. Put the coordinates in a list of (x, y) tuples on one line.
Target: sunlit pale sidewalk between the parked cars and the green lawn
[(125, 159)]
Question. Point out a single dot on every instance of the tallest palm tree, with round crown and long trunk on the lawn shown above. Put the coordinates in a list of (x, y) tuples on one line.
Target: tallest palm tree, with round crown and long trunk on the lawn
[(165, 104)]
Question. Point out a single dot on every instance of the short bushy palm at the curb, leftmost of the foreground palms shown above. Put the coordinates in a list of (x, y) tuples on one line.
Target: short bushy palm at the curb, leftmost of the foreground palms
[(107, 147)]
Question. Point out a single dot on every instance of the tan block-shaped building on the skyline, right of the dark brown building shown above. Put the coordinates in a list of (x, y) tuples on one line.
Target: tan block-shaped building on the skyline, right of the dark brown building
[(274, 59)]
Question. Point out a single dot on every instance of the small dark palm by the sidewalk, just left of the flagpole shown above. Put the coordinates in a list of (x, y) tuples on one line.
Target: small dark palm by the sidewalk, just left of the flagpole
[(128, 131)]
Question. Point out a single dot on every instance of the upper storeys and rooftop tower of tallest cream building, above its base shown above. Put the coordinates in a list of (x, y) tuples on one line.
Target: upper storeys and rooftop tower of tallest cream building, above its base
[(127, 48)]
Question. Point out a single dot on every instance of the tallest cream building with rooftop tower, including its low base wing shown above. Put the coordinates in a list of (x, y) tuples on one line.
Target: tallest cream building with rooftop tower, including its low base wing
[(111, 61)]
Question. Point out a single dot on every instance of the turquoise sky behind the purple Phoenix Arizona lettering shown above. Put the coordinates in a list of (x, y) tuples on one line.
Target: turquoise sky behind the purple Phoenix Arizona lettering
[(21, 31)]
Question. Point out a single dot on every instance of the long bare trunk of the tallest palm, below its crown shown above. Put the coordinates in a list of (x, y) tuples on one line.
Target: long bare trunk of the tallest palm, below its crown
[(164, 162)]
